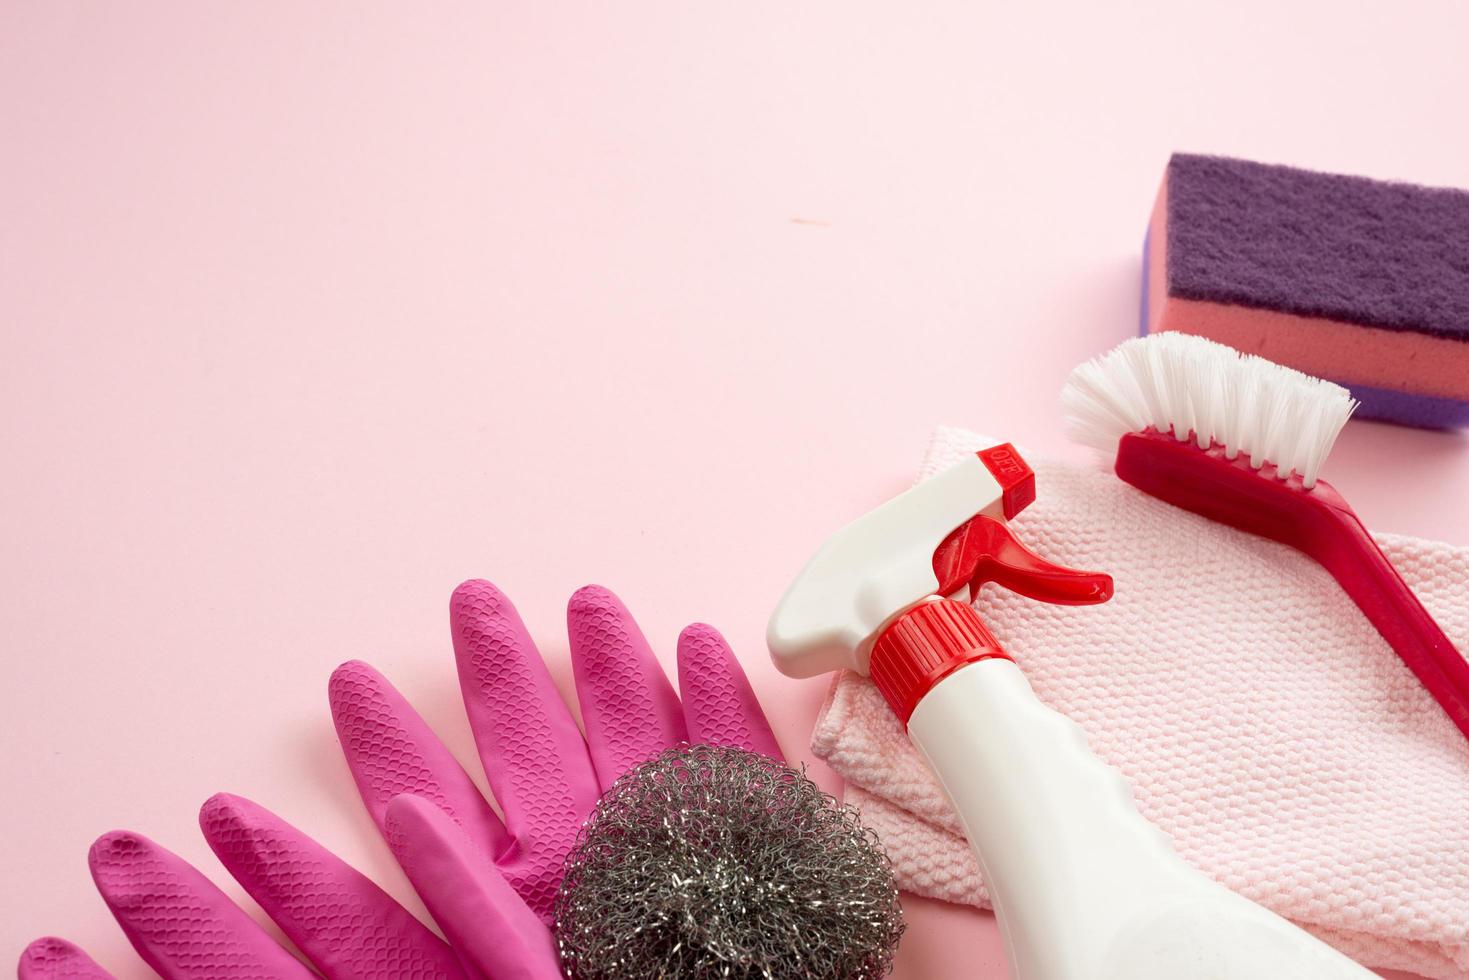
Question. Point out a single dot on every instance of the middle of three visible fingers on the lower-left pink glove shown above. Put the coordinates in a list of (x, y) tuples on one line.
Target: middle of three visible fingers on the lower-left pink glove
[(178, 920)]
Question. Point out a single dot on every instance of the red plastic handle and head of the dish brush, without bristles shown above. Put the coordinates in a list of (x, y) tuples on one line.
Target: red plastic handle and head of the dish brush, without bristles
[(1315, 521)]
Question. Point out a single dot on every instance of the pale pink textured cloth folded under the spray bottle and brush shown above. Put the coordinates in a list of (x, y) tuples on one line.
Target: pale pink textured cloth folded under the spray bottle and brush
[(1264, 725)]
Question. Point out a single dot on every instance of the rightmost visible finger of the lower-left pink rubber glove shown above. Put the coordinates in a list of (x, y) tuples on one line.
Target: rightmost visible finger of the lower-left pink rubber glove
[(349, 928)]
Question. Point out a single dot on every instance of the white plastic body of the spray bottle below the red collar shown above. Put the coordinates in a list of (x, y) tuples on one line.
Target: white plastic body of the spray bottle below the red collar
[(1083, 887)]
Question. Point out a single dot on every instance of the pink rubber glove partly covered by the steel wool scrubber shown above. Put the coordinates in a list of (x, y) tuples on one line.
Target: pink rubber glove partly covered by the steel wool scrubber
[(488, 882)]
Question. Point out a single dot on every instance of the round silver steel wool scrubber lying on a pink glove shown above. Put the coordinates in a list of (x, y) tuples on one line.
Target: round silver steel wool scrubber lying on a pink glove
[(712, 862)]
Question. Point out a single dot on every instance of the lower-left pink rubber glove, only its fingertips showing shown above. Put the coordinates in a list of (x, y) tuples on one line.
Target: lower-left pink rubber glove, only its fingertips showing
[(186, 929)]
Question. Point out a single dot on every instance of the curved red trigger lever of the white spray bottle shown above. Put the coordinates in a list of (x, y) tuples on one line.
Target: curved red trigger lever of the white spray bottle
[(985, 550)]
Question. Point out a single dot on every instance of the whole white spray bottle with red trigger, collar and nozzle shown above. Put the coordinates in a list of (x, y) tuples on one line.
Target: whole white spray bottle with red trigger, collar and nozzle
[(1083, 887)]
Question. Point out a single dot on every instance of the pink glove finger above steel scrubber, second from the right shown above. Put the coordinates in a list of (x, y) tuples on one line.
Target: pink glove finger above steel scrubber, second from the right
[(628, 705)]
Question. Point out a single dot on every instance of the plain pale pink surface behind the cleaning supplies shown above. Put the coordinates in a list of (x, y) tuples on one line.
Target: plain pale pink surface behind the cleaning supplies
[(311, 312)]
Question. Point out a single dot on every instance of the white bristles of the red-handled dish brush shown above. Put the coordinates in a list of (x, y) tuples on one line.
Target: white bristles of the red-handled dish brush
[(1205, 392)]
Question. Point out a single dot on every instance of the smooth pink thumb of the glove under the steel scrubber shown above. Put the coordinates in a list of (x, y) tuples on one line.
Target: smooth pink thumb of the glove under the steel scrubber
[(493, 931)]
